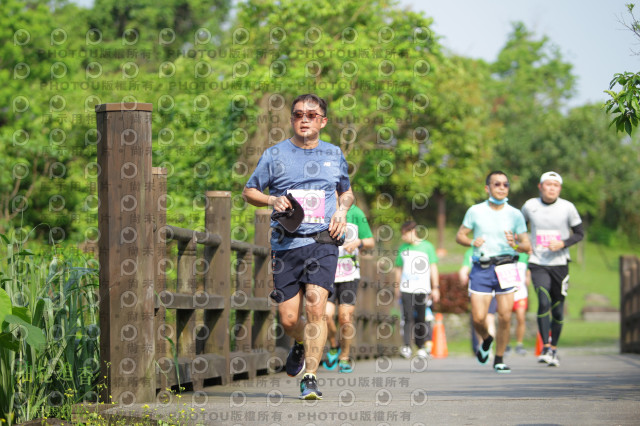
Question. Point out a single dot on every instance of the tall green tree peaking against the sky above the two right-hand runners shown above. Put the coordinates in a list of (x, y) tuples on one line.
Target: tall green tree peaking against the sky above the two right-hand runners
[(532, 82)]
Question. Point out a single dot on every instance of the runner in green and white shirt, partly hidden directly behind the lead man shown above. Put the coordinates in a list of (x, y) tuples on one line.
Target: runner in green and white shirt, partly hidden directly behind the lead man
[(358, 237)]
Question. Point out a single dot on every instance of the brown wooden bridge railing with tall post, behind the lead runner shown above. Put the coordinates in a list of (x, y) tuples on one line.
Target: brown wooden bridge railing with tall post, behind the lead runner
[(214, 320)]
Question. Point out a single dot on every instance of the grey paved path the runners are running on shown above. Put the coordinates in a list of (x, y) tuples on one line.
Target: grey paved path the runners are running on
[(584, 390)]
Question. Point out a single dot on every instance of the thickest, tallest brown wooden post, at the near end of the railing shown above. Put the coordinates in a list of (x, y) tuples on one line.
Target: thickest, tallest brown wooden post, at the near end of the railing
[(127, 299)]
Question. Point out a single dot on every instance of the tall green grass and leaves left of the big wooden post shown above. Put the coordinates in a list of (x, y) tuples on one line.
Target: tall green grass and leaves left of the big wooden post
[(49, 340)]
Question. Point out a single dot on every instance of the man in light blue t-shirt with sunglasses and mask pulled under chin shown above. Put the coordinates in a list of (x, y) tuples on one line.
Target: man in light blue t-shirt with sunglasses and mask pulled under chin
[(499, 233)]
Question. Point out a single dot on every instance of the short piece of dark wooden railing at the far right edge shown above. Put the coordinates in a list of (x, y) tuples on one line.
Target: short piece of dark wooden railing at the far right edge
[(629, 304)]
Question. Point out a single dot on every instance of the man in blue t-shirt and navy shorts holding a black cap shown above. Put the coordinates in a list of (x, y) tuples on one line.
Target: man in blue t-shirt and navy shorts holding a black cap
[(315, 173)]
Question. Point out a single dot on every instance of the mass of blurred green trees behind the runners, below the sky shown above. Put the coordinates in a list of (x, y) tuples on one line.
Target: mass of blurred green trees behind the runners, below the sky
[(419, 127)]
